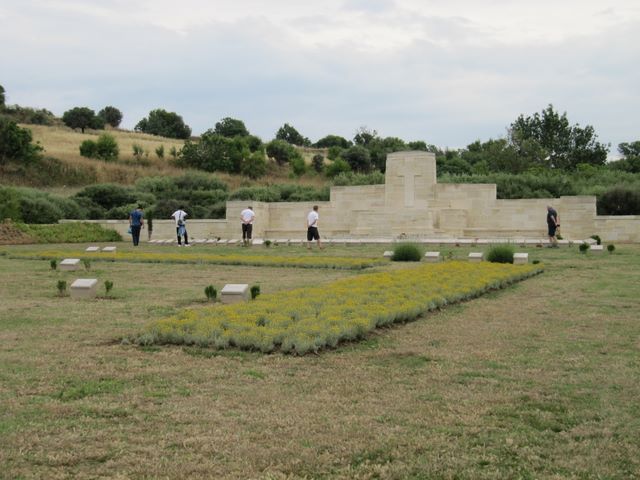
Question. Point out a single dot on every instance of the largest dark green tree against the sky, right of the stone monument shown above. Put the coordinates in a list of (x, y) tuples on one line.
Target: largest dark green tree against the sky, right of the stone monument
[(566, 145)]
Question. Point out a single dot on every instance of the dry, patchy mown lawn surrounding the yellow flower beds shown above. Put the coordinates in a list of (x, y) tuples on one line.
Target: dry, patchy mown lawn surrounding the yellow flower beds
[(538, 380)]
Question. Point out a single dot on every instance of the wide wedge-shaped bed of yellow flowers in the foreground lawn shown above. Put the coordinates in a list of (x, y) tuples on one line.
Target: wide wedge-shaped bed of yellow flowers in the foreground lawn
[(308, 319)]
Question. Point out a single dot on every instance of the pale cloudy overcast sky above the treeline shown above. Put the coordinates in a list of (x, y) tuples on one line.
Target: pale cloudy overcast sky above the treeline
[(448, 72)]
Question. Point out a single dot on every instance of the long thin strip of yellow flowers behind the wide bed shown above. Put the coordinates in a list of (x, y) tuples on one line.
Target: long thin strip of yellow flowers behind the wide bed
[(353, 263)]
